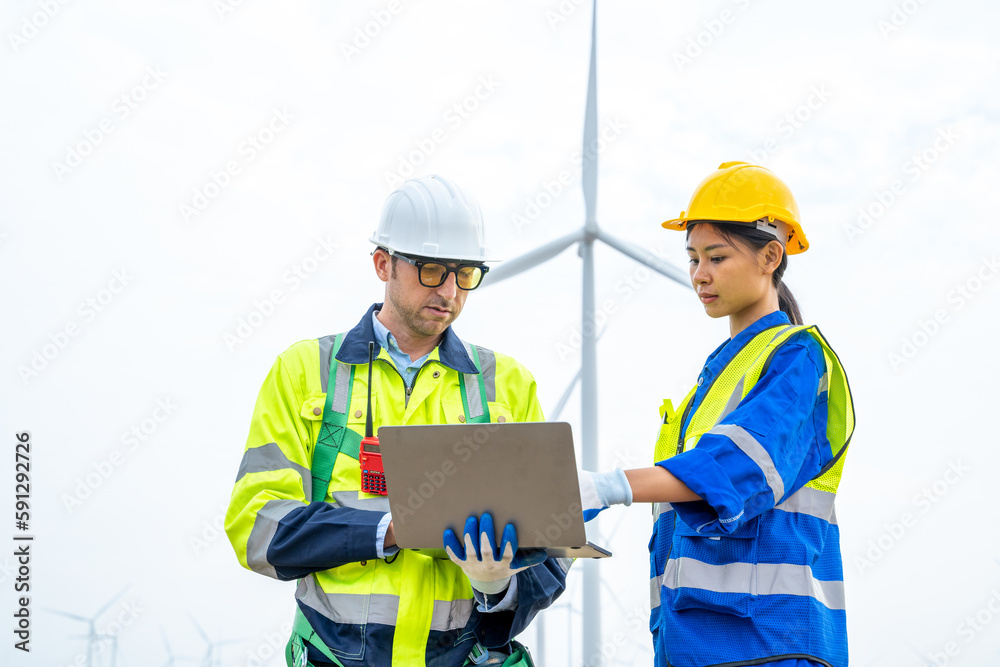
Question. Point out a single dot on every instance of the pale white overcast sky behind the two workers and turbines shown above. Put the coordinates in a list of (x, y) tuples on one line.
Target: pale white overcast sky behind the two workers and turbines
[(886, 99)]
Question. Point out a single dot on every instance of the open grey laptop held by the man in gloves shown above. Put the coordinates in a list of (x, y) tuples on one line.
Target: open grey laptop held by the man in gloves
[(439, 475)]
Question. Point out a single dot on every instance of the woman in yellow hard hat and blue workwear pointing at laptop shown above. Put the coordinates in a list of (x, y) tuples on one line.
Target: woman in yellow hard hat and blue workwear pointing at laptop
[(745, 553)]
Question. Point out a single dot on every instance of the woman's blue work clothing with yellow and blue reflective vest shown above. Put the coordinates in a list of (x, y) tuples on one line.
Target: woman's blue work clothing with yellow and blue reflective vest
[(761, 439)]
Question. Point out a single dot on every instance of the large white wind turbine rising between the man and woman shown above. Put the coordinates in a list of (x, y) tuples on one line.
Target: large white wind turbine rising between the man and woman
[(584, 238)]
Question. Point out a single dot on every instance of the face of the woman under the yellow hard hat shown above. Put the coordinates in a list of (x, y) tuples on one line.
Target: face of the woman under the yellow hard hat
[(732, 281)]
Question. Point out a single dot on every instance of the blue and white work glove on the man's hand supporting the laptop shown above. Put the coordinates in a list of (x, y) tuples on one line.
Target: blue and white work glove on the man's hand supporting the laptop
[(489, 569)]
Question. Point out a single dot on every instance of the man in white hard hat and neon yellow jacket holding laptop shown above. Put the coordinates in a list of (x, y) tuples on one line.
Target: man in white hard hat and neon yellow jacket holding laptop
[(362, 601)]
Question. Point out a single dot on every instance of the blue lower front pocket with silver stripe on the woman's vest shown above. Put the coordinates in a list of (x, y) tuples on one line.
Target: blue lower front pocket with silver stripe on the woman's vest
[(714, 572)]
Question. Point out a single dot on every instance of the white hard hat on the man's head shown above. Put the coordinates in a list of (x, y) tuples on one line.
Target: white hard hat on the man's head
[(432, 217)]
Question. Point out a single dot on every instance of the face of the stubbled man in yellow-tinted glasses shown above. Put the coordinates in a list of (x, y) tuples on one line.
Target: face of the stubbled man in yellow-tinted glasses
[(423, 311)]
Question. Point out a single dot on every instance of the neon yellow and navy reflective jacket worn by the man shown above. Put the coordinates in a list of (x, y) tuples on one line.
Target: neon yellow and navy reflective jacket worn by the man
[(408, 609)]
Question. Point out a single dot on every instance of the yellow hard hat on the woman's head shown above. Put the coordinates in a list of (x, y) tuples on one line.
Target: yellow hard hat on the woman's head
[(742, 192)]
